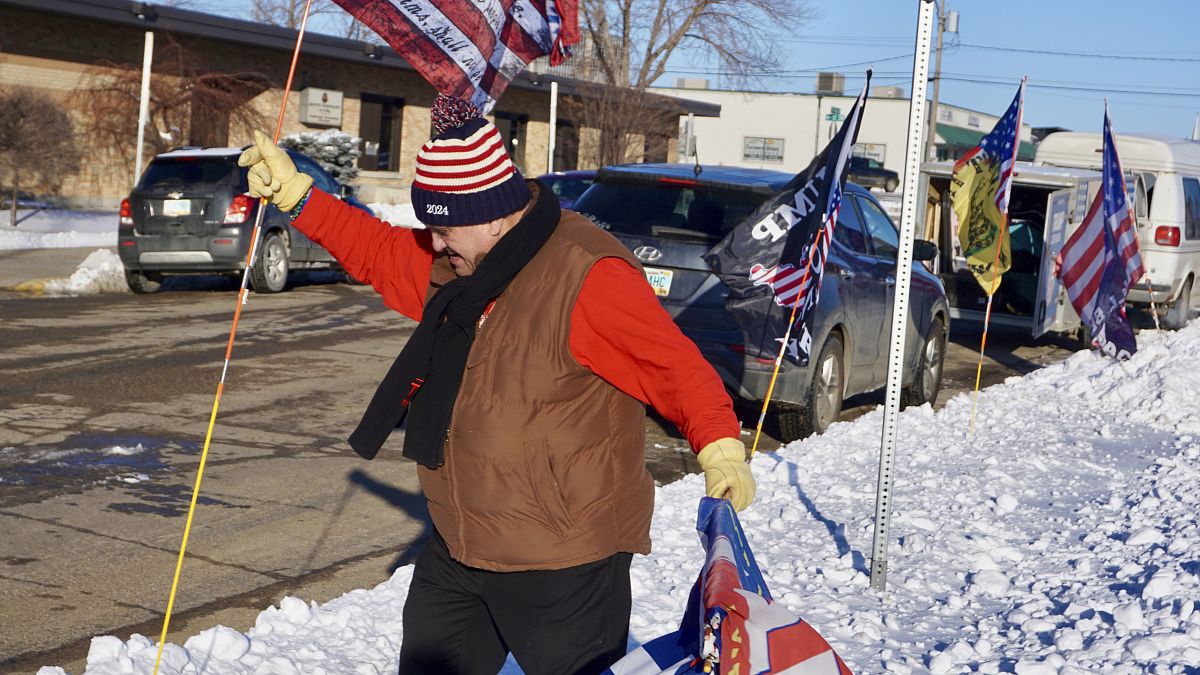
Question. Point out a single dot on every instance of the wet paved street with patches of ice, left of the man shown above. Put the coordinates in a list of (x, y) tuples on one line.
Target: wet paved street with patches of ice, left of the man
[(106, 402)]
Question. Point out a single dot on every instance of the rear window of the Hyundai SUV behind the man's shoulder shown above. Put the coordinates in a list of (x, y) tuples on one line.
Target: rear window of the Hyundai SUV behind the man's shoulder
[(668, 211)]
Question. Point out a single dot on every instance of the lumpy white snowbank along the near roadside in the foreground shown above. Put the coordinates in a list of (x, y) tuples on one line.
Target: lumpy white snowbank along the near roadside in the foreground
[(1063, 539)]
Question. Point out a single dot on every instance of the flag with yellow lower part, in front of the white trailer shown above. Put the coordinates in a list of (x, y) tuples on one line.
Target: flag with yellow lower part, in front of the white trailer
[(980, 189)]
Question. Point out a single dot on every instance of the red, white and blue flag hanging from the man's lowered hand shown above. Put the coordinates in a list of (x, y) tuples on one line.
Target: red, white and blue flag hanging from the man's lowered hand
[(731, 624)]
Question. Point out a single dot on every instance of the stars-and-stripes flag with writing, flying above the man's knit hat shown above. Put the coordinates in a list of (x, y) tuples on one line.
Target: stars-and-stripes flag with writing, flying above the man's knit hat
[(471, 50)]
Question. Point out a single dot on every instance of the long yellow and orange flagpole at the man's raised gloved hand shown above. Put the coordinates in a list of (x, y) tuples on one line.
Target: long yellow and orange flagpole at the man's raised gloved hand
[(233, 332)]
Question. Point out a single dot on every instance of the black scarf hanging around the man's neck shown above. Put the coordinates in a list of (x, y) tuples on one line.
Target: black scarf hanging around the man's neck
[(427, 377)]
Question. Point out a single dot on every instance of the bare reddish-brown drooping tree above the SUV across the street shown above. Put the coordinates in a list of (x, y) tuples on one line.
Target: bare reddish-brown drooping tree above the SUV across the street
[(189, 104)]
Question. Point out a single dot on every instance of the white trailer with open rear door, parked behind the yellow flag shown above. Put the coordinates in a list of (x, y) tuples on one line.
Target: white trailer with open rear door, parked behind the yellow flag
[(1046, 206)]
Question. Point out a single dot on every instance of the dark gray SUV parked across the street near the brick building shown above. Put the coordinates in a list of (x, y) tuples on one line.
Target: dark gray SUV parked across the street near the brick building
[(190, 214)]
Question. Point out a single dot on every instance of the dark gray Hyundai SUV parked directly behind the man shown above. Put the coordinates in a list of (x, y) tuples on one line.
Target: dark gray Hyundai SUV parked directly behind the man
[(670, 217)]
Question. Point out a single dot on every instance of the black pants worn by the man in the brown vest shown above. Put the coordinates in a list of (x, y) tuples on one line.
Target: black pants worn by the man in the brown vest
[(460, 620)]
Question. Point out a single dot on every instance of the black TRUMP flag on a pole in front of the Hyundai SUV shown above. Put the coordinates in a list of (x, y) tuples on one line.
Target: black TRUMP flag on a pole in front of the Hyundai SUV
[(775, 261)]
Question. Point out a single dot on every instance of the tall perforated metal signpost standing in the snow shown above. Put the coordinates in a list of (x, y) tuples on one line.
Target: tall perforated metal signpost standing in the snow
[(901, 304)]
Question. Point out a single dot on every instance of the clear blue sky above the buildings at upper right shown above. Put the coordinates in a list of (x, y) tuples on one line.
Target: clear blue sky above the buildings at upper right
[(1147, 34)]
